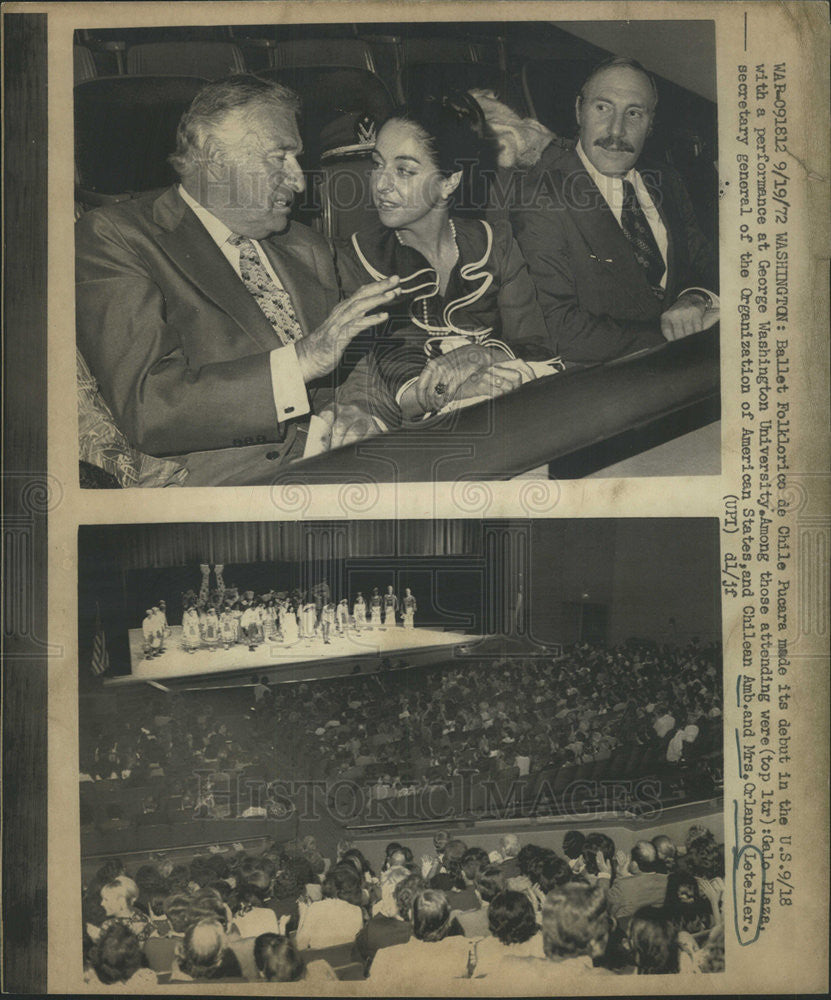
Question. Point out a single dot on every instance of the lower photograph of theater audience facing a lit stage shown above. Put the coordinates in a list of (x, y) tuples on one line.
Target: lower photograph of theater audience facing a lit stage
[(402, 752)]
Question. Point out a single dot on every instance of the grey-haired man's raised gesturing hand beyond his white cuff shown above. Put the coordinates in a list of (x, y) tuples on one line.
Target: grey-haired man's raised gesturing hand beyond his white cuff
[(320, 352)]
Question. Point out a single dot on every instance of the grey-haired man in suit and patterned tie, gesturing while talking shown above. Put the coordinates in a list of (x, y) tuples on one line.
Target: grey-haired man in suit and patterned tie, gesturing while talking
[(209, 319)]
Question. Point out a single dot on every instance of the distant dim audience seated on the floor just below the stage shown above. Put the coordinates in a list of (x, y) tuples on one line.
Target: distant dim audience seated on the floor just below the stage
[(428, 723)]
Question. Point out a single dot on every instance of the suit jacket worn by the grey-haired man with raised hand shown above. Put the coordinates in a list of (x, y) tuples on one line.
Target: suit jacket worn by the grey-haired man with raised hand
[(179, 347)]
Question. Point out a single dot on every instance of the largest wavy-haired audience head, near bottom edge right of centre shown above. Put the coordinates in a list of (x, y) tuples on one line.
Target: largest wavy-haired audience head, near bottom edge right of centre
[(575, 921)]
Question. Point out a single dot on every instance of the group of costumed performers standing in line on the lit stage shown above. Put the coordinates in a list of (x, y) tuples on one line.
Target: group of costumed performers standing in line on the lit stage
[(224, 617)]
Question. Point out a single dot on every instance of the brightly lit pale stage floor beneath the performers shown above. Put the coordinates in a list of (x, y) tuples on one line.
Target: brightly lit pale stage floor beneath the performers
[(393, 642)]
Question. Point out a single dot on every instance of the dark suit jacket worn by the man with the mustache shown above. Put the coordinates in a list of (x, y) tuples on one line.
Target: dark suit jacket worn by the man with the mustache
[(594, 295)]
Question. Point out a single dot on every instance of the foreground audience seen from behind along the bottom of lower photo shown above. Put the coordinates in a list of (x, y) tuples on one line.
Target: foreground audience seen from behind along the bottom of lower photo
[(193, 932)]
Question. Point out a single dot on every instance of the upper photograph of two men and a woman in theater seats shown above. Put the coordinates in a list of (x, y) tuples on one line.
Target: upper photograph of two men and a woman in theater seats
[(396, 252)]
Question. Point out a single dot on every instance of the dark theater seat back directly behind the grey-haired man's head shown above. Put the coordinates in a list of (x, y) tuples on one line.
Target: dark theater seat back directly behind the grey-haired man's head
[(125, 128)]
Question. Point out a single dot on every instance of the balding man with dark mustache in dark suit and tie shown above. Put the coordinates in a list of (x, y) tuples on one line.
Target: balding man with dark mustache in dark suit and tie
[(612, 244)]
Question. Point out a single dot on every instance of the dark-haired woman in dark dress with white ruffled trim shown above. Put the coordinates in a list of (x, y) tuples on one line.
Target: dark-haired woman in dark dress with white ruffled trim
[(466, 320)]
